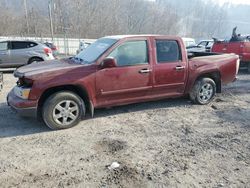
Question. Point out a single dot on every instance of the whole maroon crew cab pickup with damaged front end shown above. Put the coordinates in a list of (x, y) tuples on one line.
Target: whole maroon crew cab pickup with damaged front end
[(118, 70)]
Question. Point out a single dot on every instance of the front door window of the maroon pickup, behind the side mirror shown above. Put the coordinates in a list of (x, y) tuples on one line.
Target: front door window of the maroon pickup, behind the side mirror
[(130, 53)]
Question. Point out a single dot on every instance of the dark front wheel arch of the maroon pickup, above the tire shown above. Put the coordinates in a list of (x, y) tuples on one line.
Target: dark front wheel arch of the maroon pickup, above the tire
[(79, 90)]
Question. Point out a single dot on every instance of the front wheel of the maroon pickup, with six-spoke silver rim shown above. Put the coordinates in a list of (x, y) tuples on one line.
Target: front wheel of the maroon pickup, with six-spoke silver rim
[(63, 110)]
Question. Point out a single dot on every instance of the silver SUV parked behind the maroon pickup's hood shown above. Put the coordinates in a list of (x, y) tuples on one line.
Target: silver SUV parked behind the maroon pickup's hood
[(17, 53)]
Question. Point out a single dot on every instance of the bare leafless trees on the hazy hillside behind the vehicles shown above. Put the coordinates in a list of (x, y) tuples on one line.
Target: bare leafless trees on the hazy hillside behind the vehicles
[(96, 18)]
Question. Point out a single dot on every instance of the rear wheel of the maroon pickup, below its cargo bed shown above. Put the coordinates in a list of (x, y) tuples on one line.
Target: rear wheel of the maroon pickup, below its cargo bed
[(203, 91)]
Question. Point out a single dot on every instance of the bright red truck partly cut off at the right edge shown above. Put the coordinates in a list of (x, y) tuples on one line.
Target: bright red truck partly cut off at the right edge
[(240, 47)]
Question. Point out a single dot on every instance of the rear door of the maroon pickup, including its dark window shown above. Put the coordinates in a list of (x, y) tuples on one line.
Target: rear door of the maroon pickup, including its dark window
[(170, 70)]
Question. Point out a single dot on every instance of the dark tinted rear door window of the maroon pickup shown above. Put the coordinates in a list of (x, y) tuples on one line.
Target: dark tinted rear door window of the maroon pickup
[(167, 51)]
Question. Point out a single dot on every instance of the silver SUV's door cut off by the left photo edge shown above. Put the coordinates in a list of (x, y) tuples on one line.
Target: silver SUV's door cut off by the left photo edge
[(4, 54)]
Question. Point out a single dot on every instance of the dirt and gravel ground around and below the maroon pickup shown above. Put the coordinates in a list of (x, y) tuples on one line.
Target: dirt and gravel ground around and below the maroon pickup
[(169, 143)]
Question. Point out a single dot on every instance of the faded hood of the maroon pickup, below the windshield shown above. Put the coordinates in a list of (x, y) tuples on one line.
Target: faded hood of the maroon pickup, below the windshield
[(47, 68)]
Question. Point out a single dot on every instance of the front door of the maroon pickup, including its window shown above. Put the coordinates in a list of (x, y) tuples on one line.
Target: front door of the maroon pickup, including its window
[(131, 80)]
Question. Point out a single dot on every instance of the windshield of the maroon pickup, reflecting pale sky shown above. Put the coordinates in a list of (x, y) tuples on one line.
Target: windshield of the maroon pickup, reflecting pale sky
[(95, 50)]
